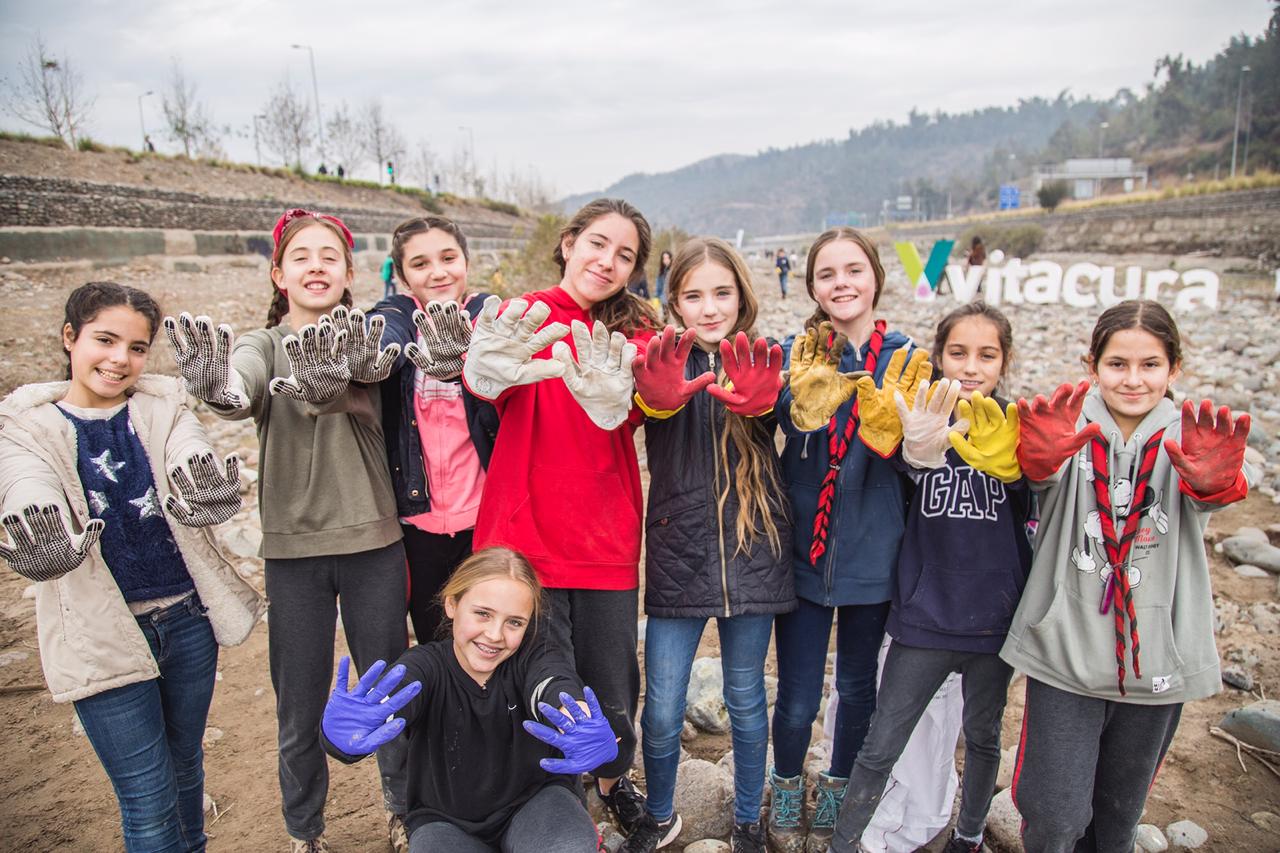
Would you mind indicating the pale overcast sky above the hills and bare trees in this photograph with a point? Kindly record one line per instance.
(588, 93)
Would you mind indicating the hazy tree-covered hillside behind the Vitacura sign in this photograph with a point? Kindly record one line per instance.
(1181, 125)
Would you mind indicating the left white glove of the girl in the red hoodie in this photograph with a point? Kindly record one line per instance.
(502, 348)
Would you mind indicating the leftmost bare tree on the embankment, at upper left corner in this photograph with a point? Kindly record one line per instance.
(49, 94)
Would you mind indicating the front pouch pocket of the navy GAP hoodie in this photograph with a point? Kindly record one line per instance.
(966, 604)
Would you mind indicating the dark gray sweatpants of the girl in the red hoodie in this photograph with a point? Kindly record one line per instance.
(597, 628)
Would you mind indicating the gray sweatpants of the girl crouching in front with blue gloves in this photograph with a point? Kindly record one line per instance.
(552, 820)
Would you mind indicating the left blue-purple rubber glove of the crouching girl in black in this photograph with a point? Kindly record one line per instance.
(356, 720)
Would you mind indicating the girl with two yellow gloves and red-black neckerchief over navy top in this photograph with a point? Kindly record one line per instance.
(849, 509)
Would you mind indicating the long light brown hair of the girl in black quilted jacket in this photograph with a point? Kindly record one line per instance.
(756, 477)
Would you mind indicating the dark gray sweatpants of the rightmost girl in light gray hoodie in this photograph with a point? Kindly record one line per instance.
(1085, 768)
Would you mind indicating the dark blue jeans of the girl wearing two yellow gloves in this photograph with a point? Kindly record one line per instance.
(802, 650)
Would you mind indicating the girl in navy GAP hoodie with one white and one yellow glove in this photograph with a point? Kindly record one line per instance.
(952, 612)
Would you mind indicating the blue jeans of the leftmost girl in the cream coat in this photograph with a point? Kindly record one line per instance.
(148, 735)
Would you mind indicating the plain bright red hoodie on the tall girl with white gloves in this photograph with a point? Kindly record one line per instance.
(560, 490)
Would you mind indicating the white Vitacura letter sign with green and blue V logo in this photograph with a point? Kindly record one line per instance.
(1082, 285)
